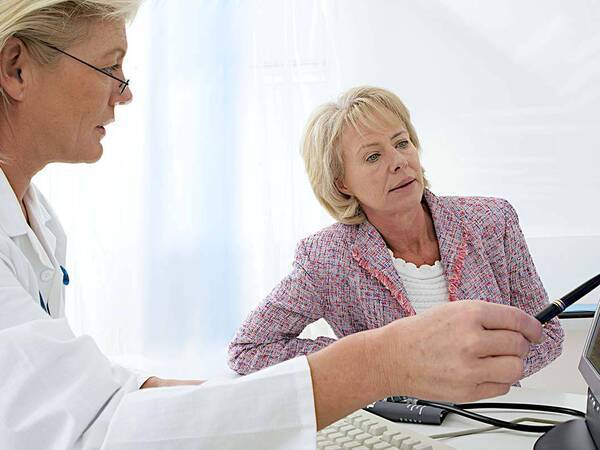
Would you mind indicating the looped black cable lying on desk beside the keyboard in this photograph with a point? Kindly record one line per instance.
(462, 410)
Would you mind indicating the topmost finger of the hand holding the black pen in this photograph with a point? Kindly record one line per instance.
(504, 317)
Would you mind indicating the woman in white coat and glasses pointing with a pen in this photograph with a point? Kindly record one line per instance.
(61, 78)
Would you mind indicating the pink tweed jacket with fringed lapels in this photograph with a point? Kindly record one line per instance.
(345, 274)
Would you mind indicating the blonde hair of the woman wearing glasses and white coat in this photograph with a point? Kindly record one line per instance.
(55, 22)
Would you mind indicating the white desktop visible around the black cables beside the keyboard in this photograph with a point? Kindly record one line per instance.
(504, 439)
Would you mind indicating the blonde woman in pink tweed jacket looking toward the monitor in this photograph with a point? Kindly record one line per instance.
(396, 249)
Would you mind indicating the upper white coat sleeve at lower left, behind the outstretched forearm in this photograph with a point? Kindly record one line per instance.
(57, 391)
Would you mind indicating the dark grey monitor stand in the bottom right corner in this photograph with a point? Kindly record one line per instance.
(574, 434)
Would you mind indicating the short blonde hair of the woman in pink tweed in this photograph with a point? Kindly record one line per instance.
(321, 148)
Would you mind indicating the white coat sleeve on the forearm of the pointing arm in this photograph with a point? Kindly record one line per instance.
(270, 409)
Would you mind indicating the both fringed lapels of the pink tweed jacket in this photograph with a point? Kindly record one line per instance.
(371, 252)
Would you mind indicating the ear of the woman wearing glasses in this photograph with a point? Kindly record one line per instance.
(14, 64)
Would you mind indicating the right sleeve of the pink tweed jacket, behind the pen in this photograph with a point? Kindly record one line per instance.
(528, 293)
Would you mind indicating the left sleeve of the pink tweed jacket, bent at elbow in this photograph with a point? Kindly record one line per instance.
(269, 334)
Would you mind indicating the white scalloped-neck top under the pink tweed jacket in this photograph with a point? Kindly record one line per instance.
(426, 285)
